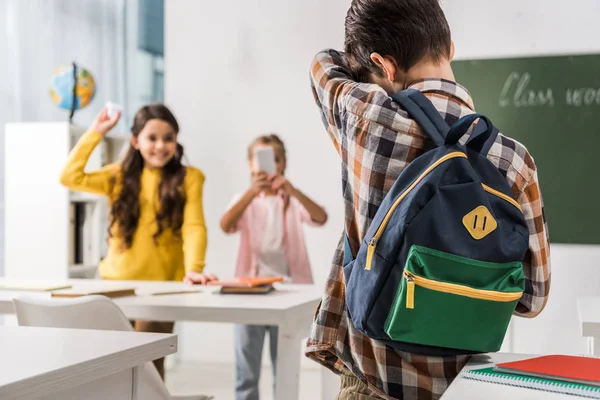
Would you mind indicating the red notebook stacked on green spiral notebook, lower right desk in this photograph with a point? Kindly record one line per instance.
(578, 376)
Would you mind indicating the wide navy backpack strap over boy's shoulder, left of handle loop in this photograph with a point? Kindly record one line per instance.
(422, 110)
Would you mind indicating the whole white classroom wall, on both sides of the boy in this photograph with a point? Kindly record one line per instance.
(238, 69)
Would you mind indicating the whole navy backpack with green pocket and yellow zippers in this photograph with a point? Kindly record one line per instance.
(440, 269)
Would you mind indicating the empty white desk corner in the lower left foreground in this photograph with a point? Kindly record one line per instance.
(53, 363)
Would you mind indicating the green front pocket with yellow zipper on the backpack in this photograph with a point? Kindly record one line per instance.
(455, 302)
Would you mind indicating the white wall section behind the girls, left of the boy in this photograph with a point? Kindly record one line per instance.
(235, 70)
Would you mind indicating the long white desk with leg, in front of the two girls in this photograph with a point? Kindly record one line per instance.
(291, 307)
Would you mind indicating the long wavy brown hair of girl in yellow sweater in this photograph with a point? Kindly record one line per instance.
(125, 210)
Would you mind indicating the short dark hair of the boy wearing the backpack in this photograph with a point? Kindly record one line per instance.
(408, 30)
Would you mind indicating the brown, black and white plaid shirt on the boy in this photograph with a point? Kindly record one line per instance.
(376, 140)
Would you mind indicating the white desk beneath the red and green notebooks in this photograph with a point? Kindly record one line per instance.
(469, 389)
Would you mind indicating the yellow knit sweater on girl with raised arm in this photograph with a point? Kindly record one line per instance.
(144, 260)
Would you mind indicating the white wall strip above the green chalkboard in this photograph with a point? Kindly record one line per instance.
(490, 29)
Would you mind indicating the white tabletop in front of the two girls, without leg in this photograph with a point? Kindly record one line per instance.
(198, 303)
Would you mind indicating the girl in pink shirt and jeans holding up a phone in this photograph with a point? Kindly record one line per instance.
(269, 218)
